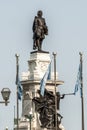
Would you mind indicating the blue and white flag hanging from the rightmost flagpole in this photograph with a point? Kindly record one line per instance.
(78, 82)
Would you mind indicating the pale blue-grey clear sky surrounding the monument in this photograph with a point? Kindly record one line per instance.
(67, 24)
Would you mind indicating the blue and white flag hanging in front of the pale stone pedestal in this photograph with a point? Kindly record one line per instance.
(44, 79)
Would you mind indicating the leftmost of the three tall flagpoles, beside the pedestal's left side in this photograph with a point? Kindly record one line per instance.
(17, 74)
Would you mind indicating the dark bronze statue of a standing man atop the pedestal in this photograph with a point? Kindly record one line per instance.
(39, 31)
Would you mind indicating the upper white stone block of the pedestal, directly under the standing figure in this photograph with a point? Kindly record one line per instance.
(38, 64)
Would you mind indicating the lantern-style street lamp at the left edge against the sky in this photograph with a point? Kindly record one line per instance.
(5, 94)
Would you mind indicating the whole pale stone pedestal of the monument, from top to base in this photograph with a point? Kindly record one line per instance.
(38, 64)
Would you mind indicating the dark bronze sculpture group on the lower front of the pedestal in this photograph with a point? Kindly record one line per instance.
(45, 106)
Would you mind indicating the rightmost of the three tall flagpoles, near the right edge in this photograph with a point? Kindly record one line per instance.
(82, 96)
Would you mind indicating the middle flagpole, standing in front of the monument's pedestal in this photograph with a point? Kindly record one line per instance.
(54, 54)
